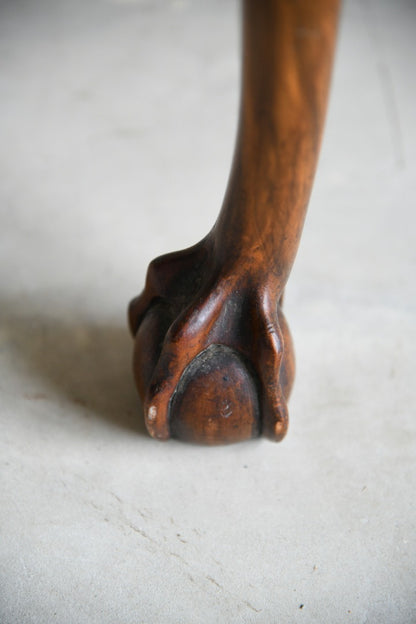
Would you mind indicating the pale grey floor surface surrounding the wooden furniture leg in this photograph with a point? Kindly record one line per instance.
(117, 126)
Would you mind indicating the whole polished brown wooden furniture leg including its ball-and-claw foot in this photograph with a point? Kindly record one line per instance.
(213, 357)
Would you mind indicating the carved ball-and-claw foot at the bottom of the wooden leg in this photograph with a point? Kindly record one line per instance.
(213, 357)
